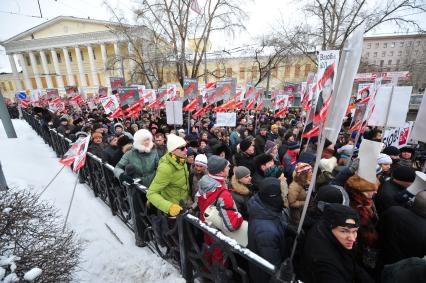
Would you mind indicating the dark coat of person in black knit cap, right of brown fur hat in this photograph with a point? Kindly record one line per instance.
(386, 194)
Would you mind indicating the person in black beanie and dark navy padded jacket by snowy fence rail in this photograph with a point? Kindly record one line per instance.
(267, 227)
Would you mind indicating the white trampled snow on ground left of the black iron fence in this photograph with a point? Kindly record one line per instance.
(28, 162)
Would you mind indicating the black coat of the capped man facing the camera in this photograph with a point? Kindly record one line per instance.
(326, 260)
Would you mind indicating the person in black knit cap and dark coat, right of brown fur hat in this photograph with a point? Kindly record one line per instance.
(402, 178)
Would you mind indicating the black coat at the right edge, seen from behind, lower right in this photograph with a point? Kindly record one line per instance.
(402, 234)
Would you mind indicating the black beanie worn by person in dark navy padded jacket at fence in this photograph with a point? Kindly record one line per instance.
(270, 193)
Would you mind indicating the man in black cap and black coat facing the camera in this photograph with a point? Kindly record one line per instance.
(328, 254)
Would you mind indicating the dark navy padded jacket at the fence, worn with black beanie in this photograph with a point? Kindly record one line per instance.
(266, 237)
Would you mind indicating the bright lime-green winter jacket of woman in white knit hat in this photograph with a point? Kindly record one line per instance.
(170, 184)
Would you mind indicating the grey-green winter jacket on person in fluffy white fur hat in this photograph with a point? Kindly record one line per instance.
(145, 164)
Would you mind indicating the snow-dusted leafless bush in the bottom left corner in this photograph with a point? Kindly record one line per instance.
(31, 236)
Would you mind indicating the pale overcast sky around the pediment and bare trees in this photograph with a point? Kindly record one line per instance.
(19, 15)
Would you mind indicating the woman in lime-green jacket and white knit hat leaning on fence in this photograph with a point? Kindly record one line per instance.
(170, 185)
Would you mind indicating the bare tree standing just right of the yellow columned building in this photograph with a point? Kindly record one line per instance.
(177, 24)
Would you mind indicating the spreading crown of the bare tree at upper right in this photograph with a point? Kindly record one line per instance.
(331, 22)
